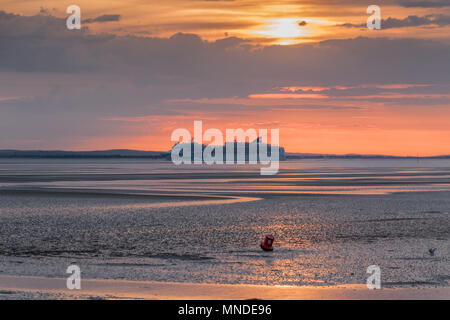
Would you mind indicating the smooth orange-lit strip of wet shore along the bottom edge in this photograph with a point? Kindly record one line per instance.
(20, 287)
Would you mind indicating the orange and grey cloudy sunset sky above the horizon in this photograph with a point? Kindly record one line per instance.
(139, 69)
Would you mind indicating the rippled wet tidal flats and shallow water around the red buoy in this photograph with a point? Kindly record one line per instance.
(331, 220)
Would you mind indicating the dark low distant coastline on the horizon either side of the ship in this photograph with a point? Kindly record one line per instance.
(125, 153)
